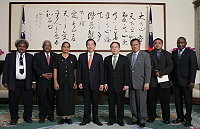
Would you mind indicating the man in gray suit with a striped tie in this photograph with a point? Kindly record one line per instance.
(140, 66)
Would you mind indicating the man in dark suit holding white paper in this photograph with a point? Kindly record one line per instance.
(162, 65)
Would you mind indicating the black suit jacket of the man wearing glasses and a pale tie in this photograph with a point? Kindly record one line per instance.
(120, 76)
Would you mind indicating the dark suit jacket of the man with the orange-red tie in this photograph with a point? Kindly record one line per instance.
(93, 77)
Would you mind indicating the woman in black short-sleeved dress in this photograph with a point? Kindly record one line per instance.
(65, 83)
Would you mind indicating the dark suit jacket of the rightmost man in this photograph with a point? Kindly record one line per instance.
(185, 68)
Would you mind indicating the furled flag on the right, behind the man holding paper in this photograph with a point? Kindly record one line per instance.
(150, 31)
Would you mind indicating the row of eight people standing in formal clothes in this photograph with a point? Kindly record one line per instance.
(139, 71)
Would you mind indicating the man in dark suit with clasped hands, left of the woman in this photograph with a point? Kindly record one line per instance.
(42, 66)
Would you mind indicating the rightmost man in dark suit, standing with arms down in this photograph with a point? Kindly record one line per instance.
(184, 73)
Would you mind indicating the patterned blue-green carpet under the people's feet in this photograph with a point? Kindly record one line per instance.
(103, 116)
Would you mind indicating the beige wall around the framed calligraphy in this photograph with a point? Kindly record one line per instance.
(179, 20)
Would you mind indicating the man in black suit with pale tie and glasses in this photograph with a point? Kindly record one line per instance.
(117, 81)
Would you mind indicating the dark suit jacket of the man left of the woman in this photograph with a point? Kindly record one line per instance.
(41, 66)
